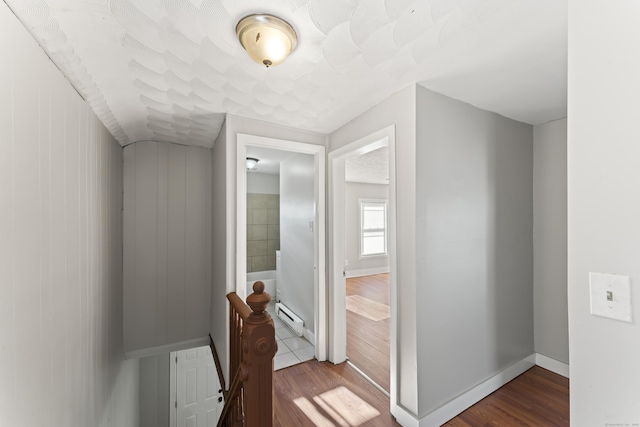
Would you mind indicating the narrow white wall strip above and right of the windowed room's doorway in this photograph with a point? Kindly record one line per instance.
(398, 109)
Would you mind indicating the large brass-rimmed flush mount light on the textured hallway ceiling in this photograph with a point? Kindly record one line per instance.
(266, 38)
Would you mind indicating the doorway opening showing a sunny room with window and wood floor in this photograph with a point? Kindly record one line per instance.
(366, 265)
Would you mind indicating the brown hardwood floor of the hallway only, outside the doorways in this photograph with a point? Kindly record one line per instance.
(323, 394)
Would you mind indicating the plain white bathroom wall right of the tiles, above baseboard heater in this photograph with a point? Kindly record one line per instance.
(297, 210)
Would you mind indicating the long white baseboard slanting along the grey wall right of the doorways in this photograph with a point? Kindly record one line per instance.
(477, 393)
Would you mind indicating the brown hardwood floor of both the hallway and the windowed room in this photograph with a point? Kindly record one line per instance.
(323, 394)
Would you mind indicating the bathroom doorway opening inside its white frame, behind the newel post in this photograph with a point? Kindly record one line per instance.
(280, 215)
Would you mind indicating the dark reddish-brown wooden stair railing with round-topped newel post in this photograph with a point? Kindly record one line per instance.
(249, 399)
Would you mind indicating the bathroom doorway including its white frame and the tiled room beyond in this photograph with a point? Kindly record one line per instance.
(280, 239)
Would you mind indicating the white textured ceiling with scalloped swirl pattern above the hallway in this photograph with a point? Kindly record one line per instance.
(168, 70)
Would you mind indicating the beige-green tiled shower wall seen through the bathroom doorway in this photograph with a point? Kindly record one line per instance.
(263, 231)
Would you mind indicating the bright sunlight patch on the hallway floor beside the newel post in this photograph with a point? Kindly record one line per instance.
(339, 406)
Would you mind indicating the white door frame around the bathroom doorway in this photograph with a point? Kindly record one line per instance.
(319, 284)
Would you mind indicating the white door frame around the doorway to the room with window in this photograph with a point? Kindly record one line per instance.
(337, 284)
